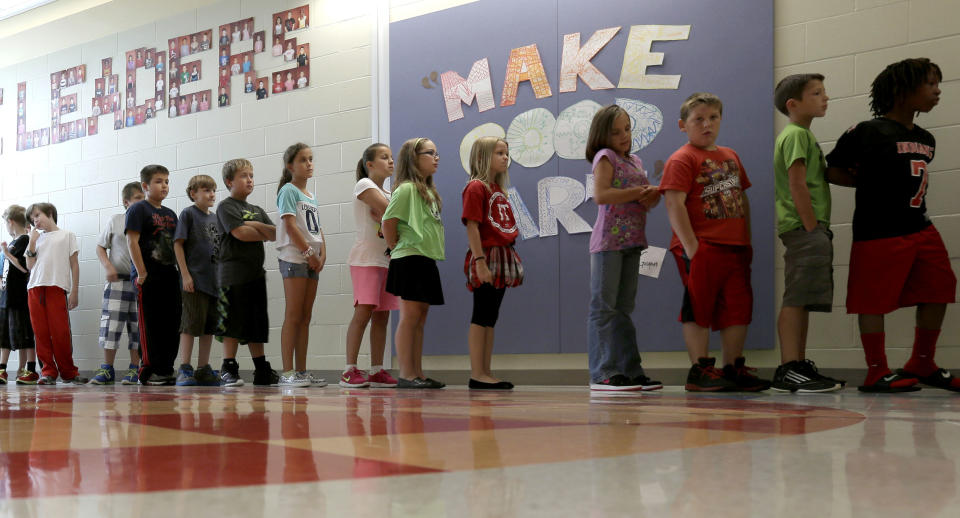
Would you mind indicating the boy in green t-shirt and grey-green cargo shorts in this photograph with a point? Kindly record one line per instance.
(803, 224)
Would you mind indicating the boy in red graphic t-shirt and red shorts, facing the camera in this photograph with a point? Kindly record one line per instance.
(703, 185)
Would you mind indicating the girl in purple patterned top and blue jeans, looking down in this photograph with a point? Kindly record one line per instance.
(623, 196)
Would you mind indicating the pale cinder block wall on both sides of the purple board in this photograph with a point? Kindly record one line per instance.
(849, 41)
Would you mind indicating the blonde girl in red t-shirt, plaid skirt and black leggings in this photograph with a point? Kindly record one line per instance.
(491, 264)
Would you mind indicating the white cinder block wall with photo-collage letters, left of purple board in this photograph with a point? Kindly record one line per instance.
(84, 177)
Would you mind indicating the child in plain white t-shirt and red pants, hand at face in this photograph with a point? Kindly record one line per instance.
(54, 269)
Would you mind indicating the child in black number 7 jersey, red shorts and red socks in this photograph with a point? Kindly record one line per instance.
(898, 258)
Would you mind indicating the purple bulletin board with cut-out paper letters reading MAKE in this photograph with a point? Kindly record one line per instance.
(722, 47)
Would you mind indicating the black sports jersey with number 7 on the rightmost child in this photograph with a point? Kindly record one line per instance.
(891, 163)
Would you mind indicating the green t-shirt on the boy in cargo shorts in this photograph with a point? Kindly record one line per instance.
(793, 143)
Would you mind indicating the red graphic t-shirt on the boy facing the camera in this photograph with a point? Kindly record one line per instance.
(714, 182)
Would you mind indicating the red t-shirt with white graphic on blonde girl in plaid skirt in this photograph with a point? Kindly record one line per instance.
(491, 208)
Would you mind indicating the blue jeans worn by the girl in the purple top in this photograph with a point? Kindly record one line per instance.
(611, 335)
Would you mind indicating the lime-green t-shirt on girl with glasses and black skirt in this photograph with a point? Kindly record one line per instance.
(419, 228)
